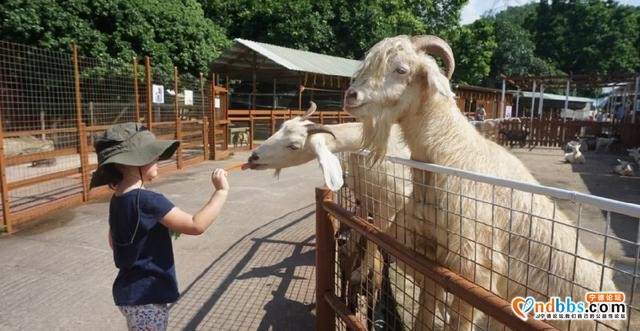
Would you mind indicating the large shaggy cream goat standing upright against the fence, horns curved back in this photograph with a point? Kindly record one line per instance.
(514, 250)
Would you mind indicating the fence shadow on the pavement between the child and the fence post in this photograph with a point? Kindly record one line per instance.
(251, 285)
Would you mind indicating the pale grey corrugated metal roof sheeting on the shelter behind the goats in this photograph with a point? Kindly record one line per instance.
(290, 59)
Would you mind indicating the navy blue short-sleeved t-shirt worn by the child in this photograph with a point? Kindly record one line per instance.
(147, 271)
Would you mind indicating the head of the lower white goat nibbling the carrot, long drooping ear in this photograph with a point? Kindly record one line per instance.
(299, 141)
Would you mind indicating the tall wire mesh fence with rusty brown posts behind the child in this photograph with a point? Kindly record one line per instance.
(53, 103)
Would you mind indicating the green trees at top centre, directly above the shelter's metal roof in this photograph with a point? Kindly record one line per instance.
(339, 27)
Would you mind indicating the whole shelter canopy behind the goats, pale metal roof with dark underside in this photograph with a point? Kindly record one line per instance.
(270, 61)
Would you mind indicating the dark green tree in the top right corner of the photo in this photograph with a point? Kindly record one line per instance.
(588, 37)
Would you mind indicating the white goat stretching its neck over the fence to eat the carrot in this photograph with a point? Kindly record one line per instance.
(300, 140)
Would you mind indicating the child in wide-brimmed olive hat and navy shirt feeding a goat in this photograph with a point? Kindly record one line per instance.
(140, 222)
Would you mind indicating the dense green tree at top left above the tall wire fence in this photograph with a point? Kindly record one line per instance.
(115, 30)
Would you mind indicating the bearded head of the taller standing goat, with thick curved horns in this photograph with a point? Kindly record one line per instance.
(397, 75)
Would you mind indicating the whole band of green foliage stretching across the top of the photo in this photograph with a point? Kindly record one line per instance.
(542, 38)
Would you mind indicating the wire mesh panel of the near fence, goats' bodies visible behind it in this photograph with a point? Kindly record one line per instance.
(513, 239)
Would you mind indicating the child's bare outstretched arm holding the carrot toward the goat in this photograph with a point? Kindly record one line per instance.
(183, 222)
